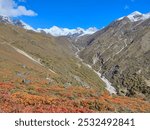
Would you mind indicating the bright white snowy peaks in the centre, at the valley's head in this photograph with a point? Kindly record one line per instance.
(57, 31)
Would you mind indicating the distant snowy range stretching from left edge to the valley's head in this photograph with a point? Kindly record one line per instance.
(55, 31)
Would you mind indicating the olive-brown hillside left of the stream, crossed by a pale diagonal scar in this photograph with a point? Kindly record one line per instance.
(29, 57)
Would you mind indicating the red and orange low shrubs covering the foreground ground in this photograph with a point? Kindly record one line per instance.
(35, 98)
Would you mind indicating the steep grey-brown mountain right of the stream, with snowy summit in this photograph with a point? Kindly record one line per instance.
(121, 52)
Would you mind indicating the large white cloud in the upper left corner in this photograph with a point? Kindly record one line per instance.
(10, 8)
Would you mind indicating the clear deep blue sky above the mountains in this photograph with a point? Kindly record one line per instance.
(78, 13)
